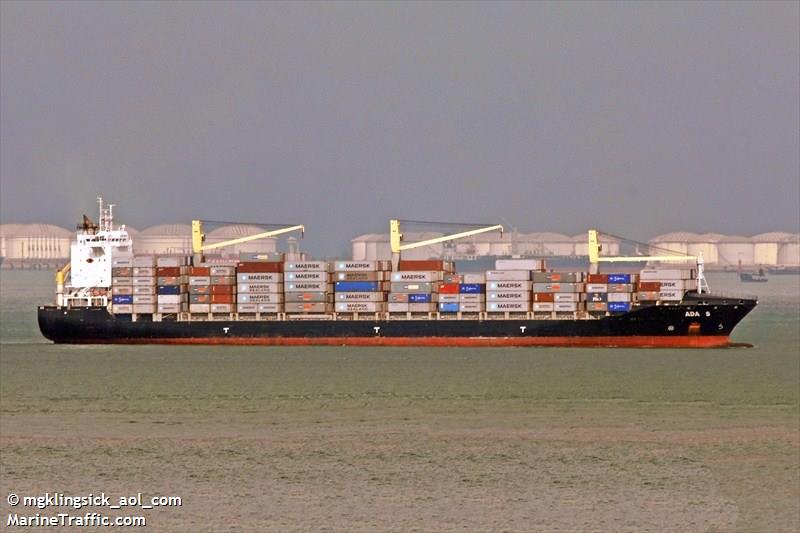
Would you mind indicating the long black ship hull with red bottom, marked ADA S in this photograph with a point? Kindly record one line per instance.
(698, 321)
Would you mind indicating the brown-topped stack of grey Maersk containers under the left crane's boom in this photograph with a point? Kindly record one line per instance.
(259, 287)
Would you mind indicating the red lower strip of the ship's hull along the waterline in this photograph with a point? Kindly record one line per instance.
(608, 342)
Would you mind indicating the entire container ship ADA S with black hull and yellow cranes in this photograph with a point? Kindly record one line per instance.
(108, 294)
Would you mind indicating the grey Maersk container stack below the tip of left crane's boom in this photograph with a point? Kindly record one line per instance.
(307, 287)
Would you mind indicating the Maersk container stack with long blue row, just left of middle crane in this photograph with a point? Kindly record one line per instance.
(359, 286)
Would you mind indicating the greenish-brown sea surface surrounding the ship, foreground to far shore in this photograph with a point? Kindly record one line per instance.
(399, 439)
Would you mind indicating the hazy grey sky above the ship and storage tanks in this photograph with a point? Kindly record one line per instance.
(638, 118)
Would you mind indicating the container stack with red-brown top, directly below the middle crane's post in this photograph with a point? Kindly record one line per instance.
(414, 288)
